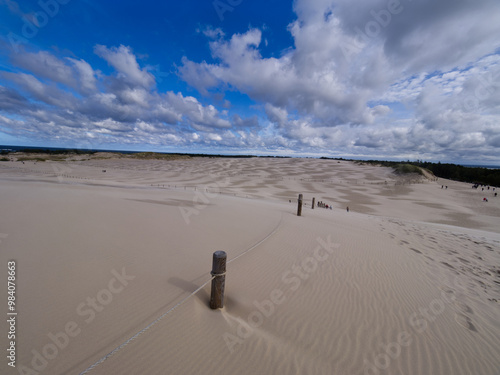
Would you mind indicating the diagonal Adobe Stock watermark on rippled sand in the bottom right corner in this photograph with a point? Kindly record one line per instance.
(420, 322)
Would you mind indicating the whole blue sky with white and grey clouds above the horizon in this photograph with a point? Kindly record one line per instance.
(385, 79)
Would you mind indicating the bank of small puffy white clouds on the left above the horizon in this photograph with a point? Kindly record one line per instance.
(123, 107)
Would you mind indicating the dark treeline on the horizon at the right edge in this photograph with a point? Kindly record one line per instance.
(475, 175)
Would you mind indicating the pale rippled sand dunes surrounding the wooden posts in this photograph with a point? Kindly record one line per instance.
(407, 282)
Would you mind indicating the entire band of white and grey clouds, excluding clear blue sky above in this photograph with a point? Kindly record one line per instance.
(390, 78)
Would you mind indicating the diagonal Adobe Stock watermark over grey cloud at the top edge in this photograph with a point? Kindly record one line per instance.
(380, 19)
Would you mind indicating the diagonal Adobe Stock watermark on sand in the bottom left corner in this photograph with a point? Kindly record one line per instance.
(88, 310)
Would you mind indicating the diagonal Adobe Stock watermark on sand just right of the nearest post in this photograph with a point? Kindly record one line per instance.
(292, 278)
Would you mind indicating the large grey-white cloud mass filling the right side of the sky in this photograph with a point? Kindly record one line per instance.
(392, 76)
